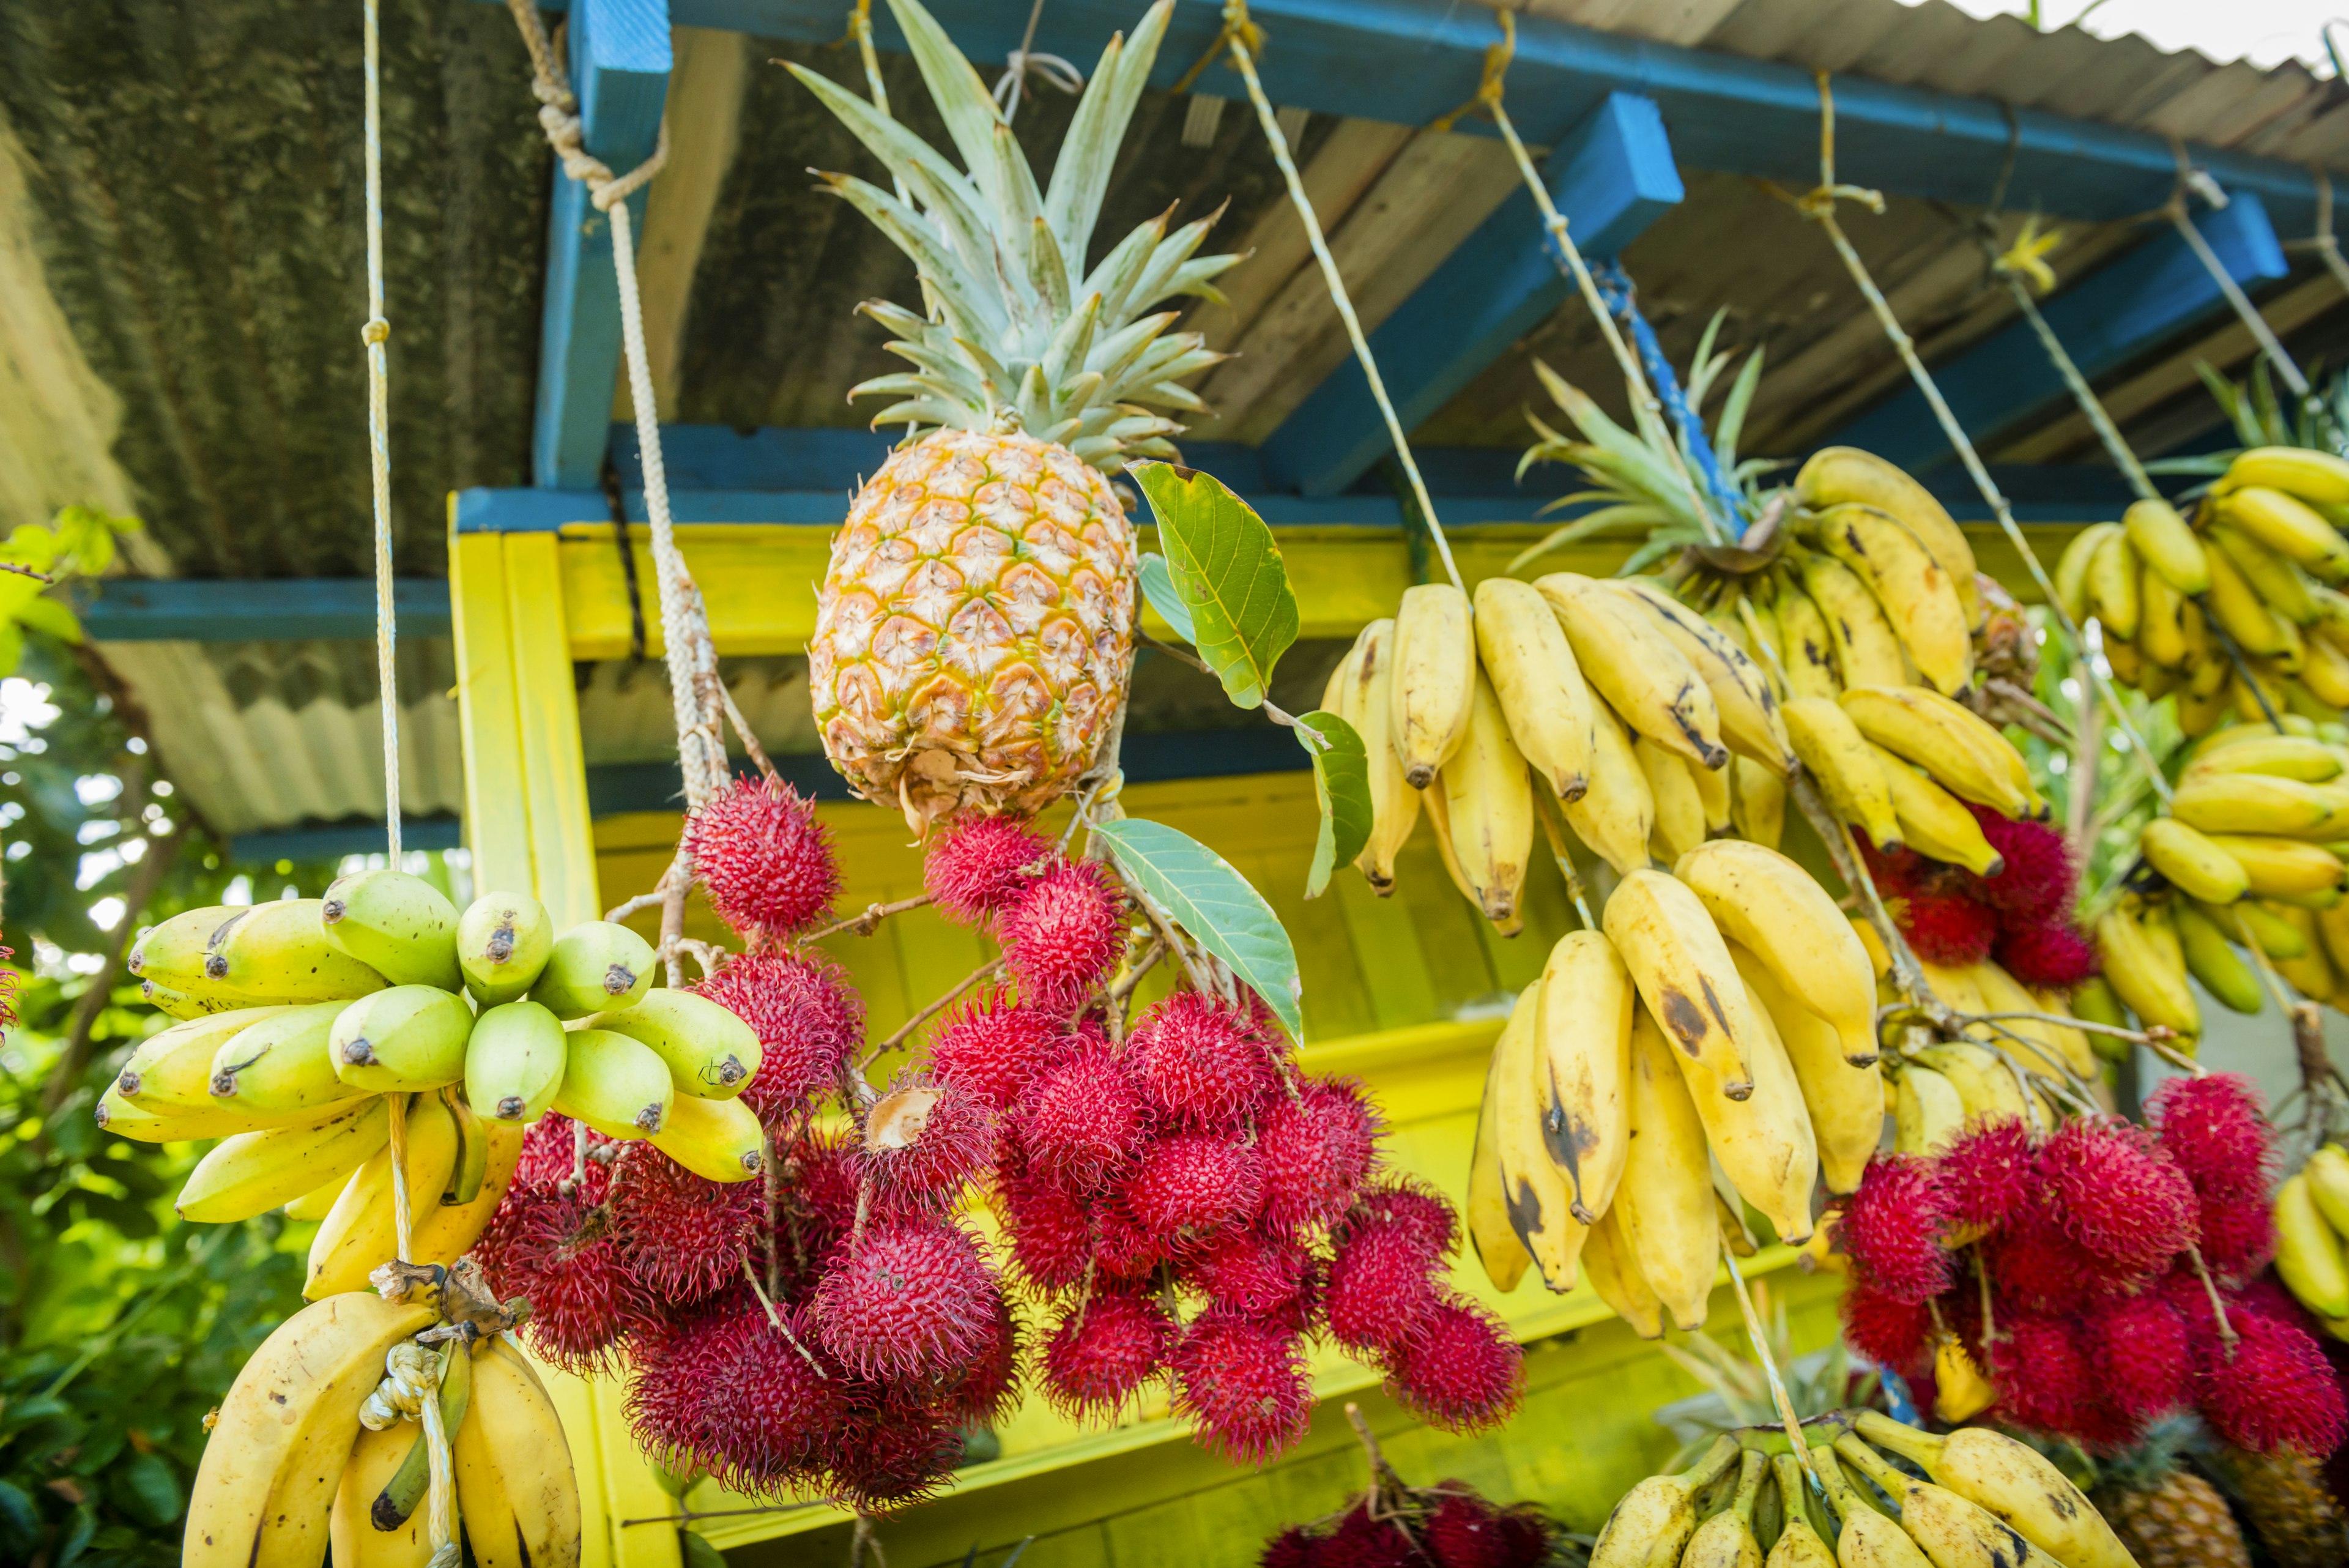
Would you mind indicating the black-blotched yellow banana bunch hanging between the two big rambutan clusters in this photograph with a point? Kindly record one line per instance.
(1725, 1014)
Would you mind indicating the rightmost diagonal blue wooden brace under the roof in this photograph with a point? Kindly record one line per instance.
(2104, 321)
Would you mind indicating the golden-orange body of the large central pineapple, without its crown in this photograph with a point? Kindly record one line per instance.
(976, 626)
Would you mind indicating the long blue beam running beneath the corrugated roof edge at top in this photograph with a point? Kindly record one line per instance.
(1413, 60)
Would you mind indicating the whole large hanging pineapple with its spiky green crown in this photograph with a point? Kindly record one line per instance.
(976, 626)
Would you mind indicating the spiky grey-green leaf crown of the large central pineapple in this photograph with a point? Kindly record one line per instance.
(1016, 323)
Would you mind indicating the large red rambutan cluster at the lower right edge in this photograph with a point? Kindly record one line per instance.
(2089, 1275)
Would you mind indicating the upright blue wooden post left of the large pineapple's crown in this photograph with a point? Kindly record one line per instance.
(621, 74)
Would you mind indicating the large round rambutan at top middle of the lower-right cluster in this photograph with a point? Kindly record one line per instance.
(2113, 1191)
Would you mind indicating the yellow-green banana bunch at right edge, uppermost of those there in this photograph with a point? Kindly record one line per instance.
(2256, 568)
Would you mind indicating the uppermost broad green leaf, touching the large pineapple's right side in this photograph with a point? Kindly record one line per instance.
(1225, 565)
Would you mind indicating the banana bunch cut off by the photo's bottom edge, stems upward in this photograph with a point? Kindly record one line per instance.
(1986, 1499)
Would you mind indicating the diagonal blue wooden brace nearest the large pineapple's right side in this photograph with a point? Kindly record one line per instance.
(1613, 177)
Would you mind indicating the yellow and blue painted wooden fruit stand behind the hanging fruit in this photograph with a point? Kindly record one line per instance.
(1653, 147)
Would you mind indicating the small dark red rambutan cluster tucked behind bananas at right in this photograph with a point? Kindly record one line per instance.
(2021, 916)
